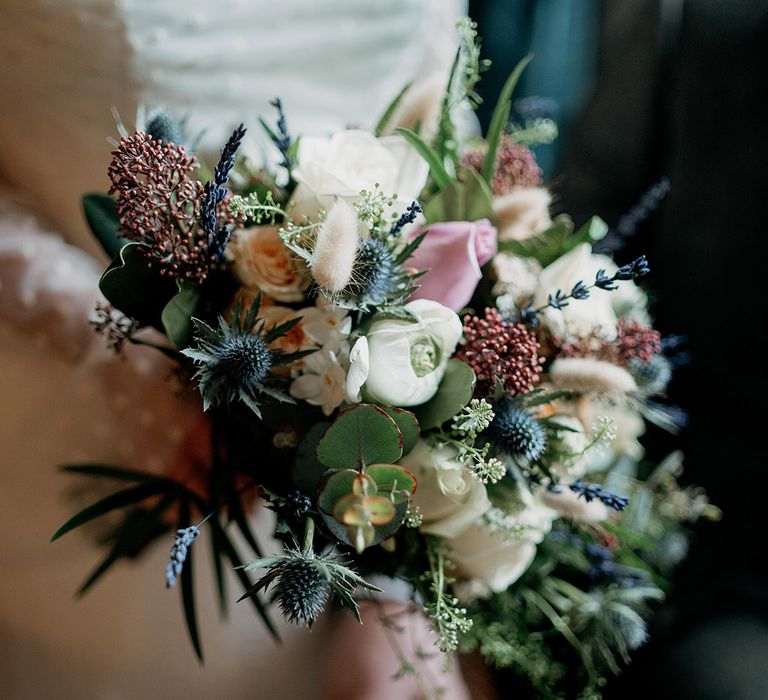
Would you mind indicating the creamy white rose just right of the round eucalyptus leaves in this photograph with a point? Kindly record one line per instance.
(450, 499)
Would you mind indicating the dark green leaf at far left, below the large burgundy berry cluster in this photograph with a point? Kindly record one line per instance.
(131, 285)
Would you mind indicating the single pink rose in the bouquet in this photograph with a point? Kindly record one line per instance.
(452, 253)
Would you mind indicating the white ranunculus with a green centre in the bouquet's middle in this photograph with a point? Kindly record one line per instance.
(407, 359)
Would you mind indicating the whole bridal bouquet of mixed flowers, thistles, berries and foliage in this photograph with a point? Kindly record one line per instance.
(420, 372)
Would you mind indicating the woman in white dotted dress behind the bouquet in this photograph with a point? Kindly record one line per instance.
(66, 399)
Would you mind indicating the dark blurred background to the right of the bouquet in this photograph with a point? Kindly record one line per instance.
(671, 91)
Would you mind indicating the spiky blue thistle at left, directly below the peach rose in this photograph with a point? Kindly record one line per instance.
(235, 360)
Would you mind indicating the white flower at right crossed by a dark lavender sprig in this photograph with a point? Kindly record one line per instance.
(595, 314)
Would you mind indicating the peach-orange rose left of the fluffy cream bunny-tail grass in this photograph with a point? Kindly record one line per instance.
(260, 260)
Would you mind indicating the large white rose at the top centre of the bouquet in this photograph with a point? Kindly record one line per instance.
(343, 164)
